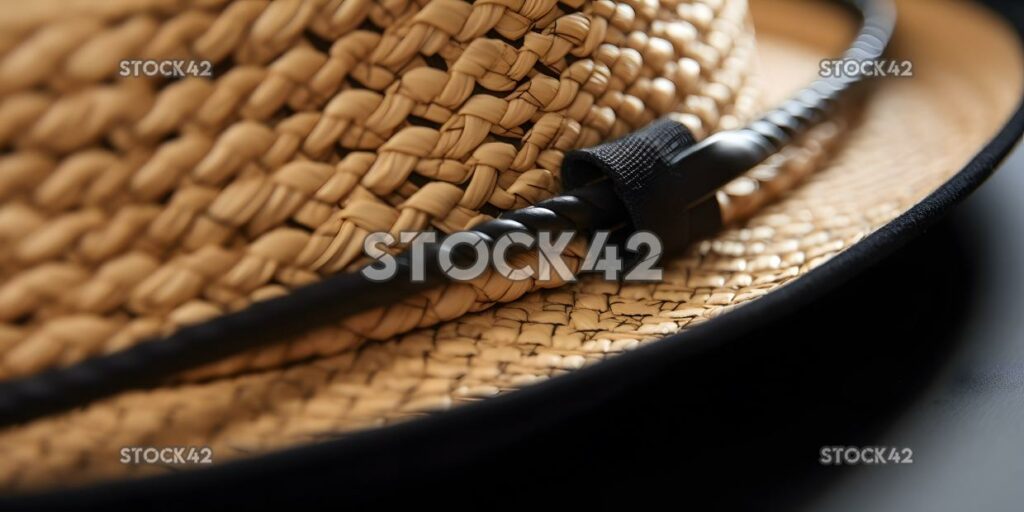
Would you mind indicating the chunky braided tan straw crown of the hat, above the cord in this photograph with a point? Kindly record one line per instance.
(132, 206)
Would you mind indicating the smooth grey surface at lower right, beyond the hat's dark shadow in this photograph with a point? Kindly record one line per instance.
(966, 424)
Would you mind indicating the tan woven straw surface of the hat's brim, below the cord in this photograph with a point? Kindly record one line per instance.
(552, 332)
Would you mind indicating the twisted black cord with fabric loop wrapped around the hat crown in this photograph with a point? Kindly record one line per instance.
(671, 195)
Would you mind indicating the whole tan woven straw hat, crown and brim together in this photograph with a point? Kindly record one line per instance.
(135, 205)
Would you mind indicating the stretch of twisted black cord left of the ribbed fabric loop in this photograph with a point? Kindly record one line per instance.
(151, 362)
